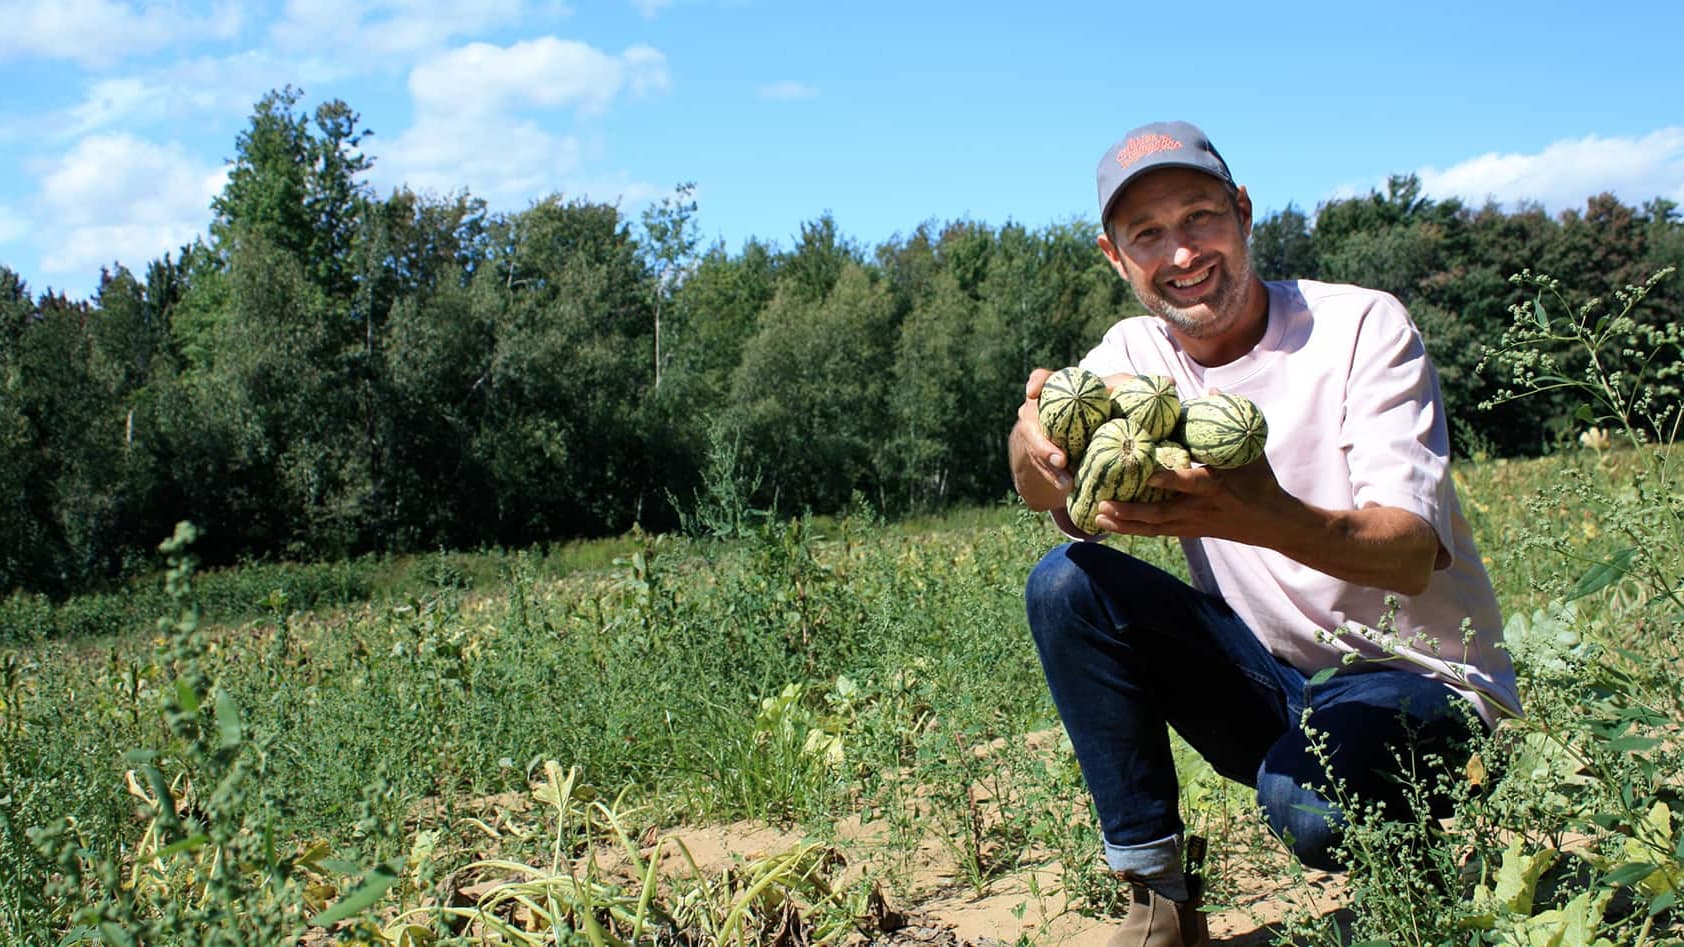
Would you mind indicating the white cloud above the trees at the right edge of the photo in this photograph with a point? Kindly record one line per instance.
(1565, 174)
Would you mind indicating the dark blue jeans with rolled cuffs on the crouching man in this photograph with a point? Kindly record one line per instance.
(1131, 651)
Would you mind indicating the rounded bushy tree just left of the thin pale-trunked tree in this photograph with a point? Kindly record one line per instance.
(570, 370)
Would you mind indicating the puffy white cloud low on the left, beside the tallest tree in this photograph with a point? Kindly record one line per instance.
(117, 198)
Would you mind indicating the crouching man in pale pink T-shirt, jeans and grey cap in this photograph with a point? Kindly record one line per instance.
(1346, 532)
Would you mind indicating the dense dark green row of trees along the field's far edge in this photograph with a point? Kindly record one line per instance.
(331, 372)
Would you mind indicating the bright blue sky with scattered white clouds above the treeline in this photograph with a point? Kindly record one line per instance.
(117, 117)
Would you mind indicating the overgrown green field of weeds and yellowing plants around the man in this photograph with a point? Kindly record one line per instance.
(498, 749)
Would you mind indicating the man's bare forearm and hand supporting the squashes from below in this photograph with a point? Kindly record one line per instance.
(1377, 547)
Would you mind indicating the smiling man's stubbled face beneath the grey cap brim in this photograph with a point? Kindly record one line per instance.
(1180, 240)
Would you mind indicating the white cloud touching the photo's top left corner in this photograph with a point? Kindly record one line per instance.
(99, 33)
